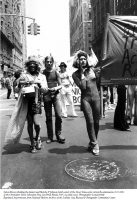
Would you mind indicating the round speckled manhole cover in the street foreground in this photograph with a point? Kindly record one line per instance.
(97, 169)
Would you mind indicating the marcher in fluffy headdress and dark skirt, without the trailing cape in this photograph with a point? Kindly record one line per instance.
(33, 78)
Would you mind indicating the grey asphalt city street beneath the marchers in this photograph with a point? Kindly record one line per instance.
(51, 168)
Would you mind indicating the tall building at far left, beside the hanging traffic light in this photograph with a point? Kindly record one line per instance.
(11, 33)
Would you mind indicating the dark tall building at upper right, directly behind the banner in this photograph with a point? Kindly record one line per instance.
(100, 8)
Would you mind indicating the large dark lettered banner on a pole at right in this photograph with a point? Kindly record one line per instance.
(119, 65)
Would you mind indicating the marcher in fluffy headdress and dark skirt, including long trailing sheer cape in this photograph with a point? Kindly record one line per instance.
(31, 83)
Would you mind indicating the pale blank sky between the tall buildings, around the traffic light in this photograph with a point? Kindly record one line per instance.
(53, 18)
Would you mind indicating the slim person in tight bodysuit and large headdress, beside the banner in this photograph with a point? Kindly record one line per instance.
(85, 79)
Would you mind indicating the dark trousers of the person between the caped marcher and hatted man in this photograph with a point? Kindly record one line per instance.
(48, 102)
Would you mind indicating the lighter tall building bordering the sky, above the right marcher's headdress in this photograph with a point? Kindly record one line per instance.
(80, 25)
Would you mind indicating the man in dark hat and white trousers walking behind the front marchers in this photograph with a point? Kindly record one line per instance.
(66, 91)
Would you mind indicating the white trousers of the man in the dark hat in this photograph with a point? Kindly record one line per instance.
(66, 94)
